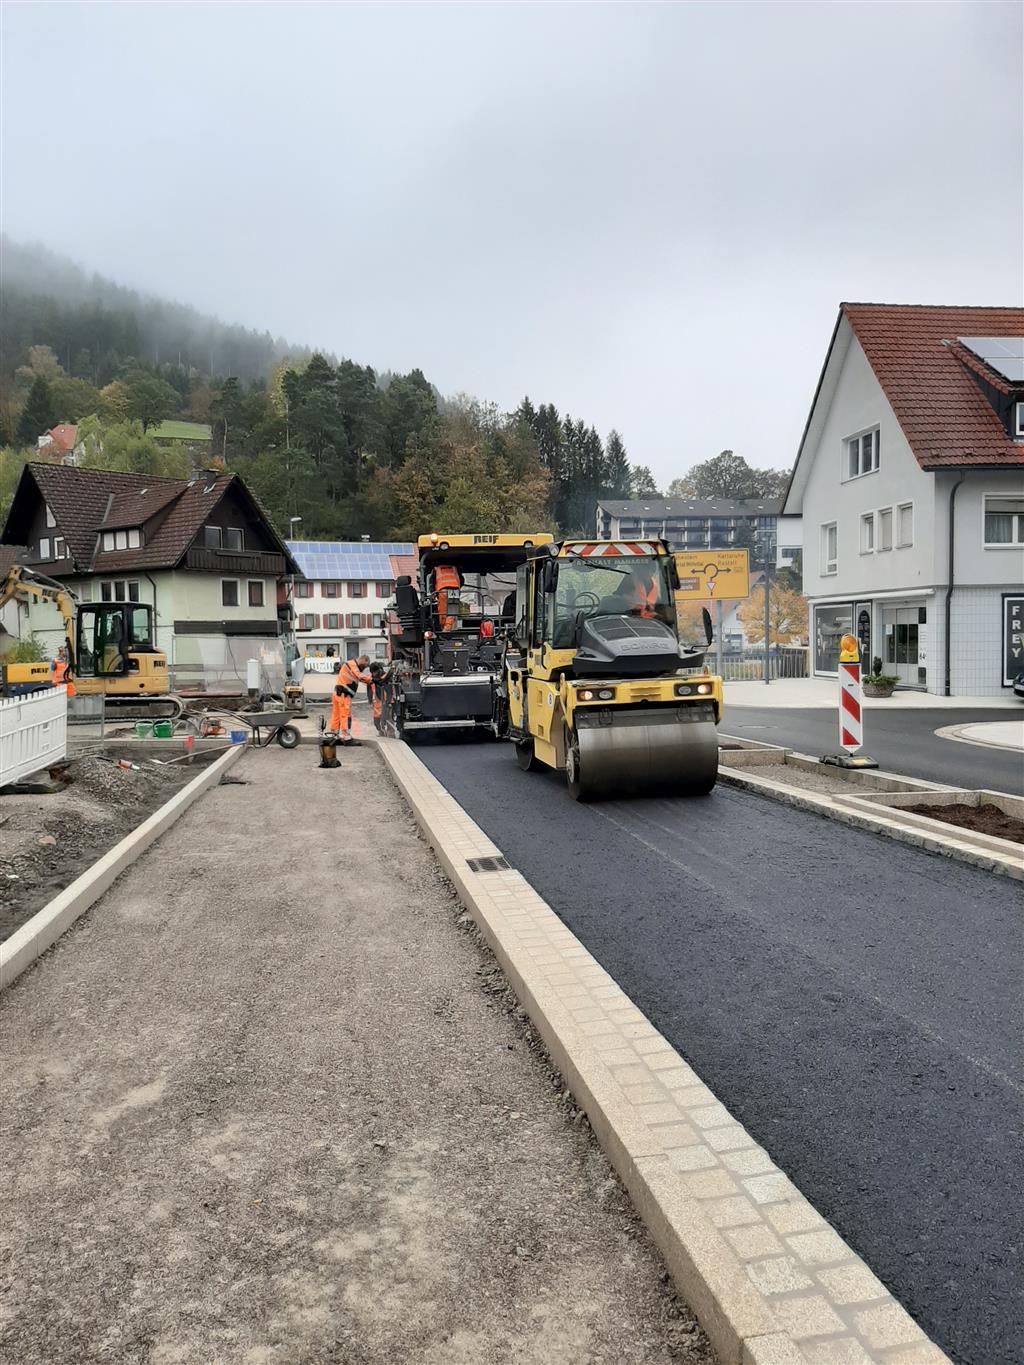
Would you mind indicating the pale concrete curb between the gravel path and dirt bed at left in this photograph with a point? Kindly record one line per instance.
(46, 928)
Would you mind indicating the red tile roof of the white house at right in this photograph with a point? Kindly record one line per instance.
(915, 357)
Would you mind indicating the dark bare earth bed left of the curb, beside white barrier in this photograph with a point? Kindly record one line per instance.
(47, 842)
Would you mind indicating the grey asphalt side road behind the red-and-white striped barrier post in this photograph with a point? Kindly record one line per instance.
(903, 742)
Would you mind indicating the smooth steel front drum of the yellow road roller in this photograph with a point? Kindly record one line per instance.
(638, 753)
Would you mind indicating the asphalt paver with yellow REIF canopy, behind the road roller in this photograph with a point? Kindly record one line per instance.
(447, 630)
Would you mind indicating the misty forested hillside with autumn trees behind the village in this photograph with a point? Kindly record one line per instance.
(349, 451)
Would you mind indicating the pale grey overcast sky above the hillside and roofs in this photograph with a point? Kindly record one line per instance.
(646, 215)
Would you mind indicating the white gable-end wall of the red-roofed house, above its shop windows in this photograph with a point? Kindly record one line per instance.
(861, 403)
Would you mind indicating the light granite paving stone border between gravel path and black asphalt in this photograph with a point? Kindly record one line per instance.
(771, 1281)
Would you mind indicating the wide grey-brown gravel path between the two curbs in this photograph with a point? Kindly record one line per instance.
(272, 1102)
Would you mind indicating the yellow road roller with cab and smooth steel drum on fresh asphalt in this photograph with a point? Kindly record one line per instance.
(596, 680)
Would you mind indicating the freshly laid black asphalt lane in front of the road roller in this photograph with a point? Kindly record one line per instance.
(854, 1001)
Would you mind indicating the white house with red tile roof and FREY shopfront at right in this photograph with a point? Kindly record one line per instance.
(910, 480)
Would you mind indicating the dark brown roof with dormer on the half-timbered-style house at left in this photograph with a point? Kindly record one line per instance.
(85, 500)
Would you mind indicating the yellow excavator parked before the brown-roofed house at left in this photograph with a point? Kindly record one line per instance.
(110, 648)
